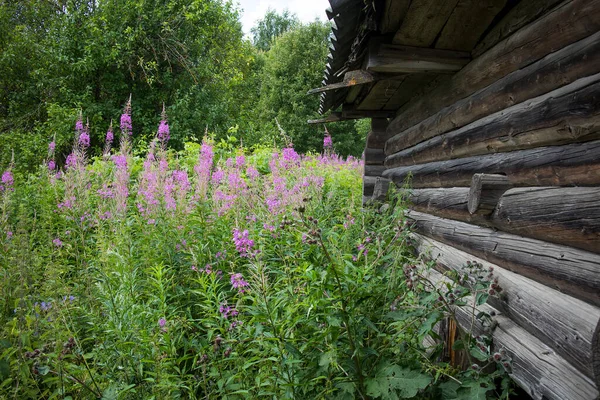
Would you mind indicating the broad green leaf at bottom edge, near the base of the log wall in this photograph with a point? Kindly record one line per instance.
(393, 381)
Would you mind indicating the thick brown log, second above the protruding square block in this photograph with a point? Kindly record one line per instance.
(565, 115)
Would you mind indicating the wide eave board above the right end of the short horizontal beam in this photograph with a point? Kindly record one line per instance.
(467, 23)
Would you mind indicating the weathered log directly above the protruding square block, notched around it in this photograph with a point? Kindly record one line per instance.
(574, 164)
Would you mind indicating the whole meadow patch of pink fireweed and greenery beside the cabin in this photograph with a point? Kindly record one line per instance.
(211, 274)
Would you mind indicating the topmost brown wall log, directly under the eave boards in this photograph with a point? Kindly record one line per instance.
(571, 21)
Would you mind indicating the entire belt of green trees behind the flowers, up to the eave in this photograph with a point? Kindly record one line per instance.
(62, 57)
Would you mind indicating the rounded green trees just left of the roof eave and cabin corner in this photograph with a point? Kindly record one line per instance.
(292, 66)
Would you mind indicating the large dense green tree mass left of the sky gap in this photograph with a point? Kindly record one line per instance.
(61, 56)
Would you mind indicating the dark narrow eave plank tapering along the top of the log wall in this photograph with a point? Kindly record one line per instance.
(522, 14)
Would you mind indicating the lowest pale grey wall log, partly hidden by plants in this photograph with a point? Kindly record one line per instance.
(538, 369)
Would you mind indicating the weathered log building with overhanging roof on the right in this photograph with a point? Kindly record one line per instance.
(496, 122)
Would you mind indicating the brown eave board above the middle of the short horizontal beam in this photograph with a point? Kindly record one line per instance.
(423, 22)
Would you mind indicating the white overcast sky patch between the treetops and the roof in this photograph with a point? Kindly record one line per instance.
(306, 10)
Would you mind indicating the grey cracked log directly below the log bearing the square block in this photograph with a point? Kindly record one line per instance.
(570, 270)
